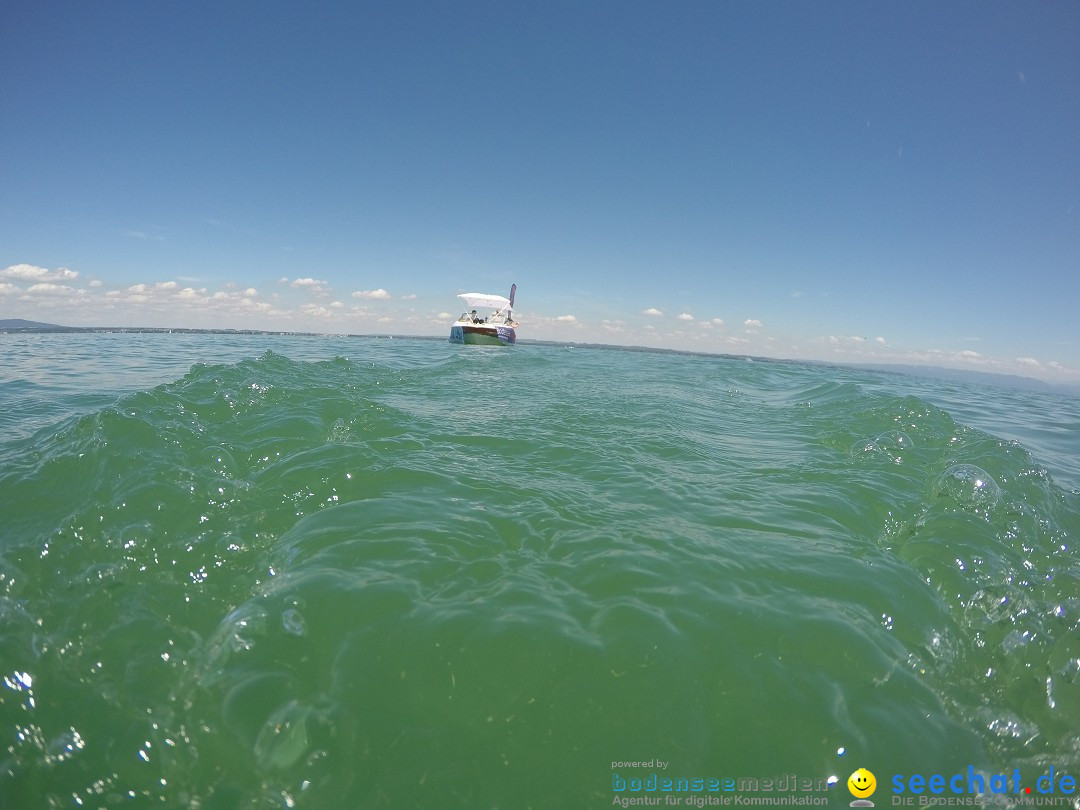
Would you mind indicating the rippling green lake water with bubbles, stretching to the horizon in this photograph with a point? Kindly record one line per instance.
(289, 573)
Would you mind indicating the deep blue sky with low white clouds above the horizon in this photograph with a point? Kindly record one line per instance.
(858, 182)
